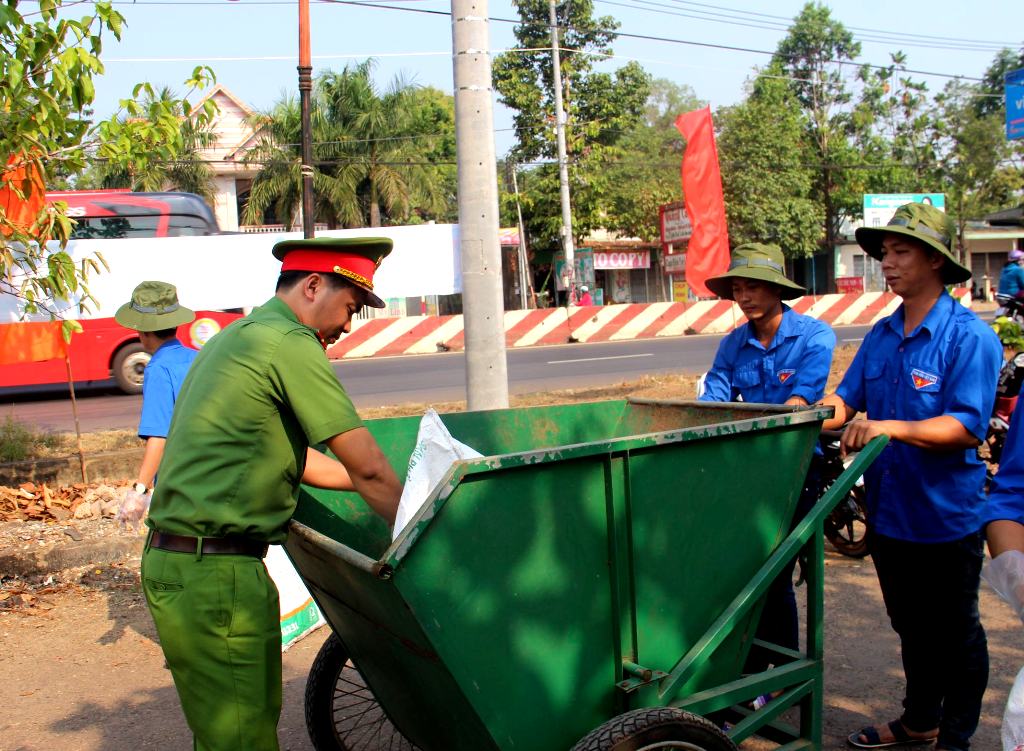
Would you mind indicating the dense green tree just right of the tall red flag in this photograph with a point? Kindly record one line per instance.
(769, 187)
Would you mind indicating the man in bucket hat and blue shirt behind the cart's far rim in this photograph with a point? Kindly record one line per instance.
(778, 357)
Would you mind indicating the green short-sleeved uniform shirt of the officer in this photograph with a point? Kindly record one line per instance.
(258, 396)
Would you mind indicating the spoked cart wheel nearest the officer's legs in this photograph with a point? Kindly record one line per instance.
(342, 712)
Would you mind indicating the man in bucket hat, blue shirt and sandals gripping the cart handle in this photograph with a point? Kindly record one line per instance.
(926, 378)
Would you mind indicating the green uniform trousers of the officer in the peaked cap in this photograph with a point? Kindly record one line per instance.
(220, 627)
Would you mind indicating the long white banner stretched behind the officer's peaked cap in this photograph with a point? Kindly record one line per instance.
(238, 271)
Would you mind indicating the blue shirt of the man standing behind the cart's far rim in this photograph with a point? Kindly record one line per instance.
(795, 364)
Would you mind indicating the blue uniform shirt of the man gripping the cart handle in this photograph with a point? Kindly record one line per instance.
(947, 366)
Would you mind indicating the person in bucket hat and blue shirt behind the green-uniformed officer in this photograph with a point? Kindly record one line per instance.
(155, 313)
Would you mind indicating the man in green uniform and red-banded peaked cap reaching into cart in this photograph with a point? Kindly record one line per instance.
(258, 397)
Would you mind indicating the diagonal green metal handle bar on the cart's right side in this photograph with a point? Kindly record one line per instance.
(756, 589)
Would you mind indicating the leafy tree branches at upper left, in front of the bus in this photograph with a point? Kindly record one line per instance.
(47, 71)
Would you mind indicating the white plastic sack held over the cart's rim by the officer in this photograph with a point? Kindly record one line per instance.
(435, 454)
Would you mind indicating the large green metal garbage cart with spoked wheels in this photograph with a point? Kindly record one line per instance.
(593, 582)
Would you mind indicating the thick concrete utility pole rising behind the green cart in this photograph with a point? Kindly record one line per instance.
(484, 311)
